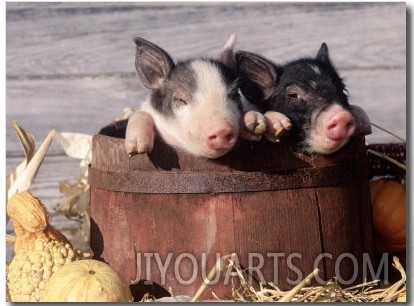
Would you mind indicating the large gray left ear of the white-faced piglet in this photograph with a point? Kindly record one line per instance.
(153, 64)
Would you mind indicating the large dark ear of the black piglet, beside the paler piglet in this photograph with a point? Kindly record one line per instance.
(258, 76)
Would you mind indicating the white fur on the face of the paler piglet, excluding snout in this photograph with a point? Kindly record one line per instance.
(210, 107)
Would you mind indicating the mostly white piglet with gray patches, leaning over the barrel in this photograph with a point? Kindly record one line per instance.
(194, 105)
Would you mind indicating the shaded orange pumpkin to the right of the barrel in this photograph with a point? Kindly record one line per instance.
(388, 198)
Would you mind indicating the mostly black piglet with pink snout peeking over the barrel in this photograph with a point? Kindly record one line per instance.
(310, 93)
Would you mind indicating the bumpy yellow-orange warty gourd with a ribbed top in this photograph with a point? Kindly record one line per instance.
(40, 249)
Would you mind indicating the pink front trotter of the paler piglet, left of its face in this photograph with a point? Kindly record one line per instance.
(140, 133)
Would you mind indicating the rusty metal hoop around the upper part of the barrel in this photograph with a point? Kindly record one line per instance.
(157, 182)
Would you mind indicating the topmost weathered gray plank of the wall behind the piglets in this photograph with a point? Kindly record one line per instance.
(94, 38)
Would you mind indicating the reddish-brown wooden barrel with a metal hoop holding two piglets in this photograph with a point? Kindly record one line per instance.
(166, 217)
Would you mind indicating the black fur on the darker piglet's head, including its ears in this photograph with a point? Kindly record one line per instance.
(300, 89)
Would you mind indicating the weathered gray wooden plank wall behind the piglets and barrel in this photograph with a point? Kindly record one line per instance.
(70, 66)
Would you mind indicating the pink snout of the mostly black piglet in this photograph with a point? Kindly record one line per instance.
(341, 125)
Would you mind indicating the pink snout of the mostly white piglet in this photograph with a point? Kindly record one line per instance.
(223, 137)
